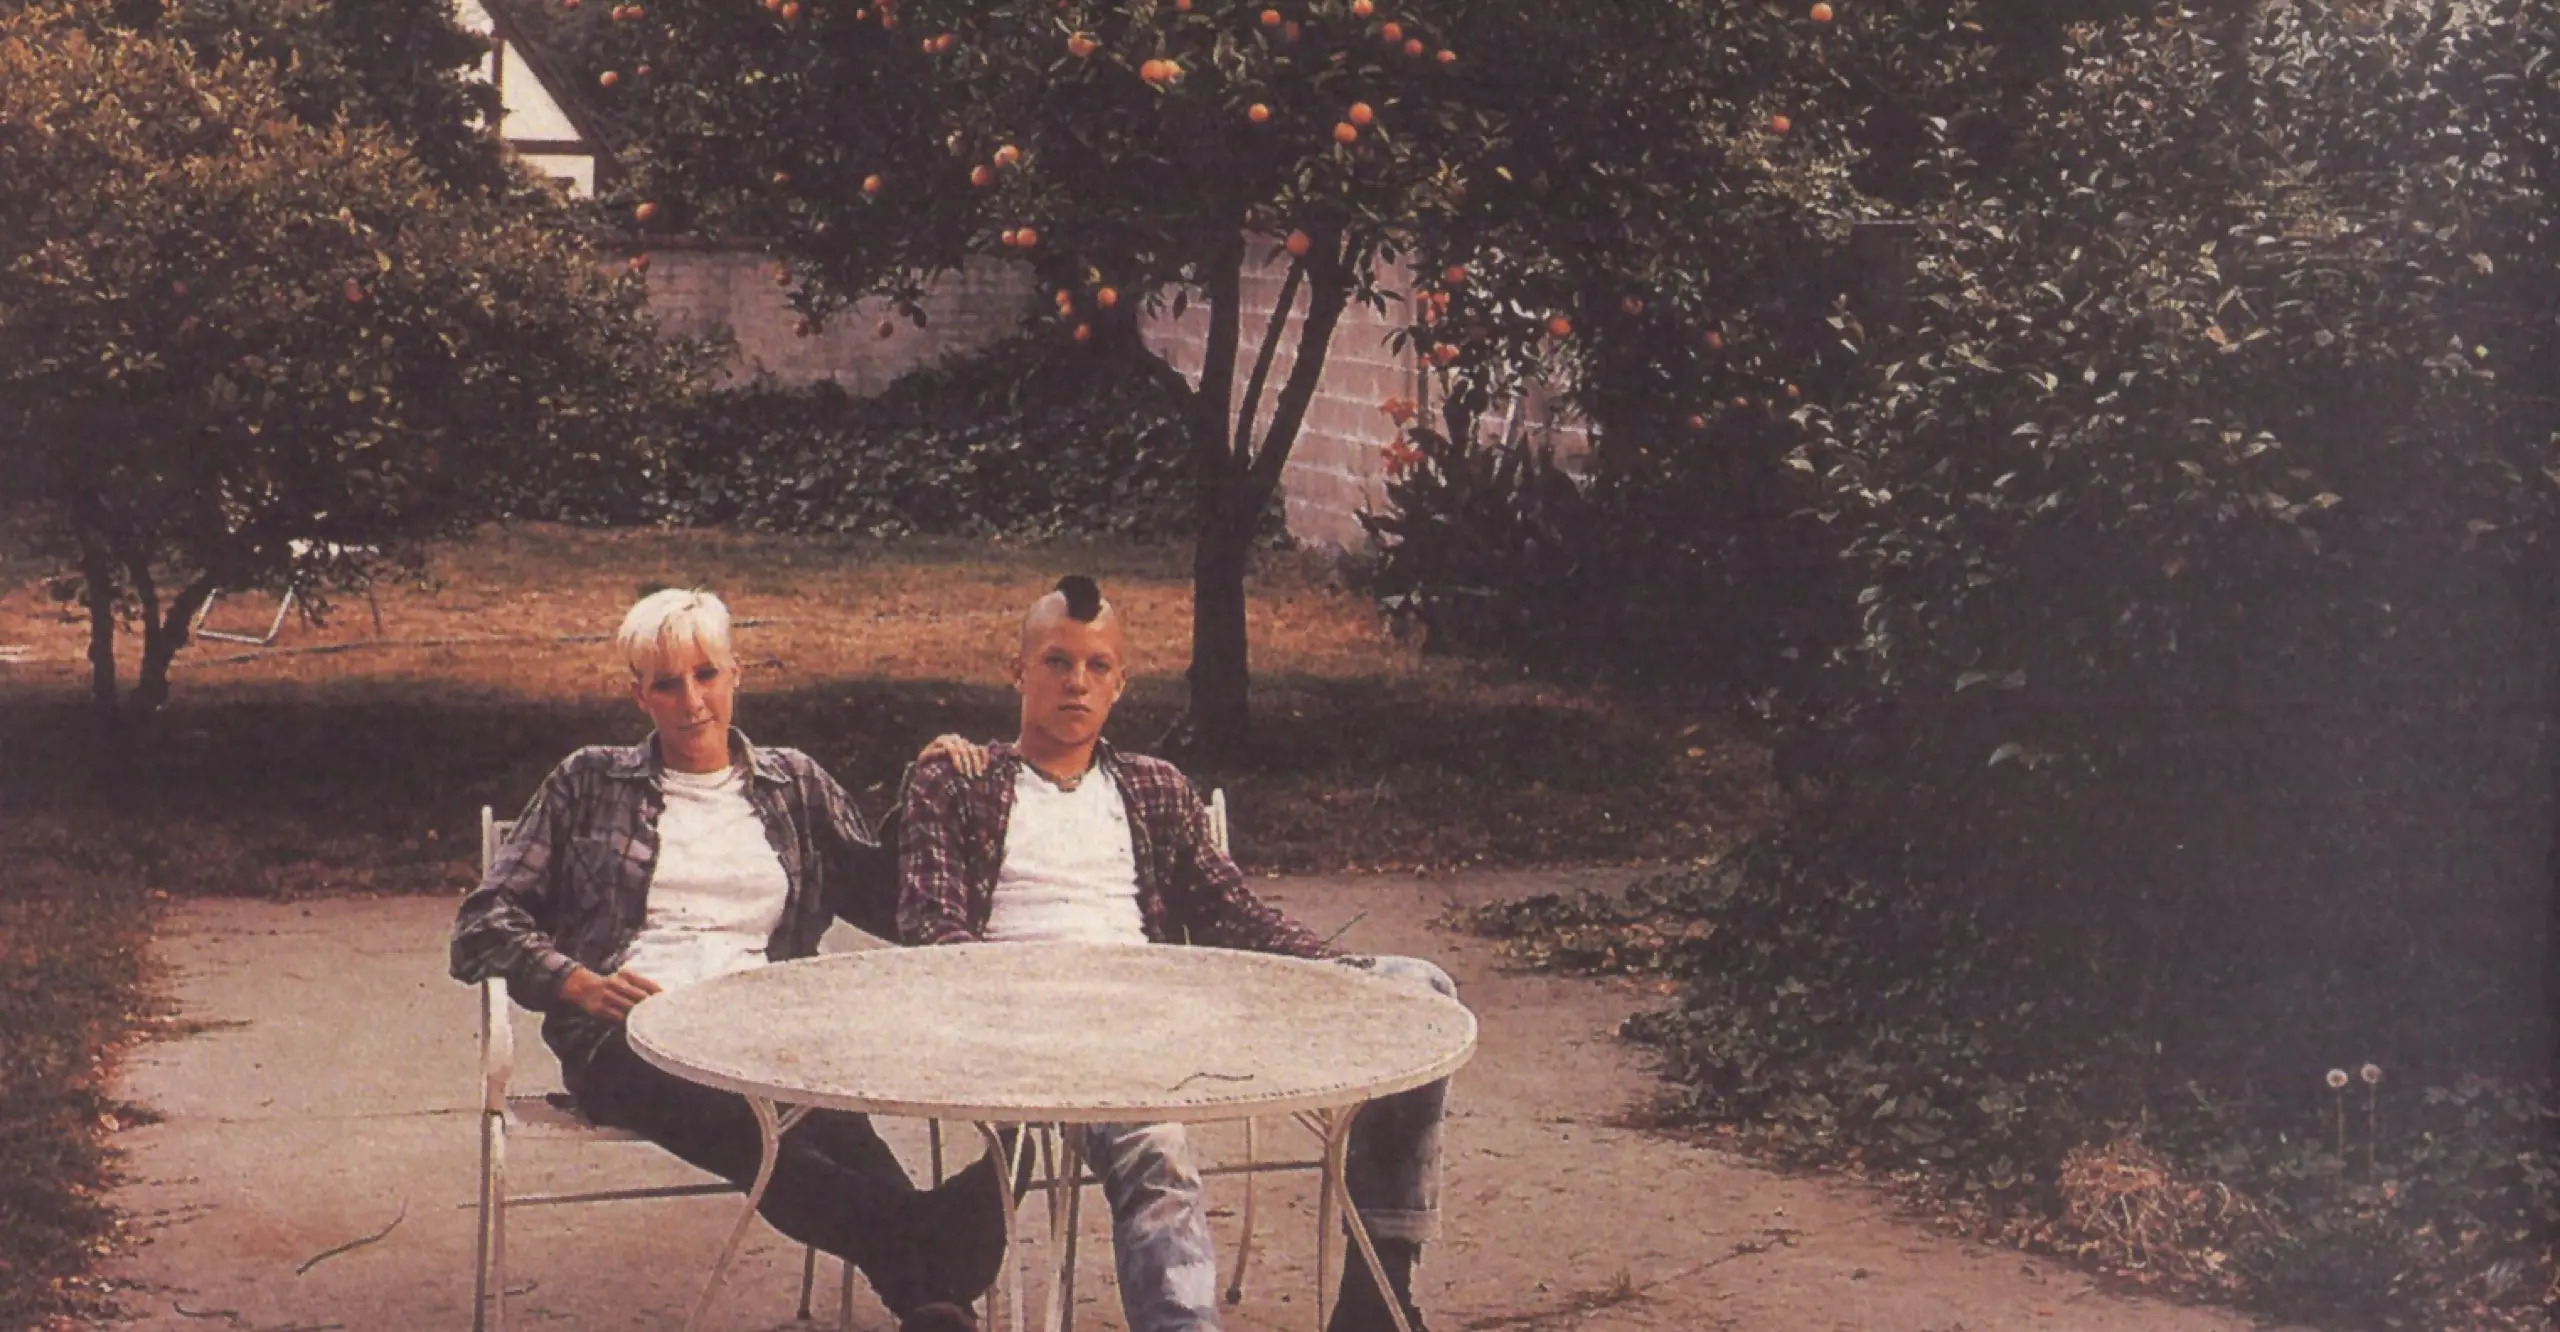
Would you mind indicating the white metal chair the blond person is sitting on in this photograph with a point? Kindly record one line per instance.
(554, 1118)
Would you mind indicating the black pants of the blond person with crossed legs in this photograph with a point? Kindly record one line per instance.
(836, 1185)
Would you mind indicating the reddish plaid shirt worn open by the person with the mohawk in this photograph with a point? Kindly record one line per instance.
(951, 847)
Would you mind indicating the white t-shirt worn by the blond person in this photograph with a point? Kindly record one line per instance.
(718, 890)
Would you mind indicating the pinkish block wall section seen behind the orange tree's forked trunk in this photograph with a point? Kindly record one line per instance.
(1338, 467)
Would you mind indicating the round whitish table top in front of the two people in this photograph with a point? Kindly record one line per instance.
(1056, 1034)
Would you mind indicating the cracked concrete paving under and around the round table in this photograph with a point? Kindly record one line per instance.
(314, 1169)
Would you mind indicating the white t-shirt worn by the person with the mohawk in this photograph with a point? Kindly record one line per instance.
(1069, 867)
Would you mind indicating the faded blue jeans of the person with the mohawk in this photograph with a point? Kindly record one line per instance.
(1161, 1226)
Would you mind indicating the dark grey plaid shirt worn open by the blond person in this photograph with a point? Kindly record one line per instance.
(572, 882)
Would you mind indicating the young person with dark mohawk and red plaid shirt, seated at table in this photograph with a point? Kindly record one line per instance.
(1059, 836)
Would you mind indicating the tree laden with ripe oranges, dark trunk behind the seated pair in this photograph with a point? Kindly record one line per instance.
(1143, 155)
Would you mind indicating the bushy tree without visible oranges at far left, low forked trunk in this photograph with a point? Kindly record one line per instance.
(255, 352)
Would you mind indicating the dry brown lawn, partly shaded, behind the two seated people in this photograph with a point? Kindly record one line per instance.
(344, 759)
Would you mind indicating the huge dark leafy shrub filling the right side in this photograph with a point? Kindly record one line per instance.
(2177, 708)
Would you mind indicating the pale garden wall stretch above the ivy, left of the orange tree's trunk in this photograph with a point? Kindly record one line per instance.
(698, 288)
